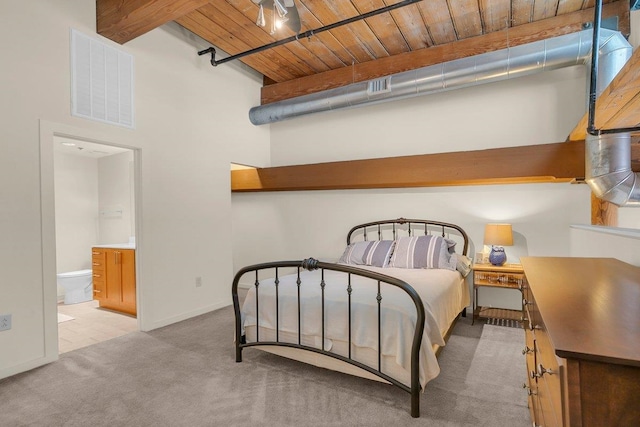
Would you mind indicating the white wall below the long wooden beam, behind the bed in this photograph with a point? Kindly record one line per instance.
(298, 225)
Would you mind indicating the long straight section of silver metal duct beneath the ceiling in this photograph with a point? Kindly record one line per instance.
(549, 54)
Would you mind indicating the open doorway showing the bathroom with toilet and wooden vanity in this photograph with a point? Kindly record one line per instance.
(95, 210)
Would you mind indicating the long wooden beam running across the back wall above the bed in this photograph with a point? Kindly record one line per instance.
(560, 162)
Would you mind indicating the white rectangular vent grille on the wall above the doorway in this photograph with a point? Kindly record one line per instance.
(101, 81)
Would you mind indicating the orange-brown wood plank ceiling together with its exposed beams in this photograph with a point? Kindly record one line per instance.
(410, 37)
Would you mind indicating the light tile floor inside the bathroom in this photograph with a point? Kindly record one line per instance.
(91, 325)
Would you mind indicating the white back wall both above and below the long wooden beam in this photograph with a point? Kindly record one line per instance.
(531, 110)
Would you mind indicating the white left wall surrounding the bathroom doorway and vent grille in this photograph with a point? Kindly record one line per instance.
(191, 122)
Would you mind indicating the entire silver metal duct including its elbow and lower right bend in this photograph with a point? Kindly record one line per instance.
(608, 158)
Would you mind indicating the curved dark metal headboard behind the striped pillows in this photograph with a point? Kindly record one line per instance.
(394, 228)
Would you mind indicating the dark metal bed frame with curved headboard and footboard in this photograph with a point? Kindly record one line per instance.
(426, 226)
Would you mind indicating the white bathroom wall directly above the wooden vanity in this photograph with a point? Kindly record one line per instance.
(116, 194)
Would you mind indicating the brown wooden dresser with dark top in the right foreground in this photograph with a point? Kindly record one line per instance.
(582, 322)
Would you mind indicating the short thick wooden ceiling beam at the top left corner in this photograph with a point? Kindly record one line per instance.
(123, 21)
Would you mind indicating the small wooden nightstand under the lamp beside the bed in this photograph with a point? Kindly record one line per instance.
(508, 276)
